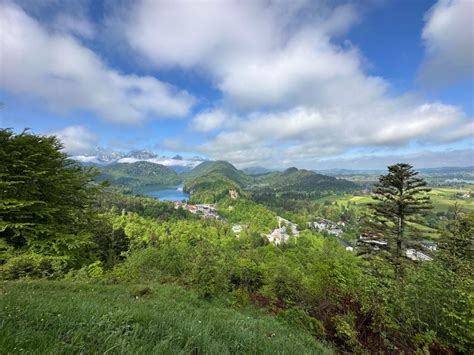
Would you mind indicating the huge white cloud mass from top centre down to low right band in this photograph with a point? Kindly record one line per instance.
(301, 94)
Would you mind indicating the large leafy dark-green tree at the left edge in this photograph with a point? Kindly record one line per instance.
(44, 198)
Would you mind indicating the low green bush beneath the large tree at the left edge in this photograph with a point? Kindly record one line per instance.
(34, 266)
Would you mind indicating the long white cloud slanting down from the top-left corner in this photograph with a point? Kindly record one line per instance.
(57, 68)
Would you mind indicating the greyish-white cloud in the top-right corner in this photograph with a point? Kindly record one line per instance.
(449, 39)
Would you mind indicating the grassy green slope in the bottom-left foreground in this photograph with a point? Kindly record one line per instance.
(71, 317)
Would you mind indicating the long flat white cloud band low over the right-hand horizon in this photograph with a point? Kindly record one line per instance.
(308, 134)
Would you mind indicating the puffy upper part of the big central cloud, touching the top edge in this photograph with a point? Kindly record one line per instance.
(257, 53)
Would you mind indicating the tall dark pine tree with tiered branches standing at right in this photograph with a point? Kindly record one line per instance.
(401, 200)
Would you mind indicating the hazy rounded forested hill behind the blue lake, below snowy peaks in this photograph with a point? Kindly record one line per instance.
(139, 174)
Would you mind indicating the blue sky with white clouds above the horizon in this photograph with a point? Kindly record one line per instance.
(315, 84)
